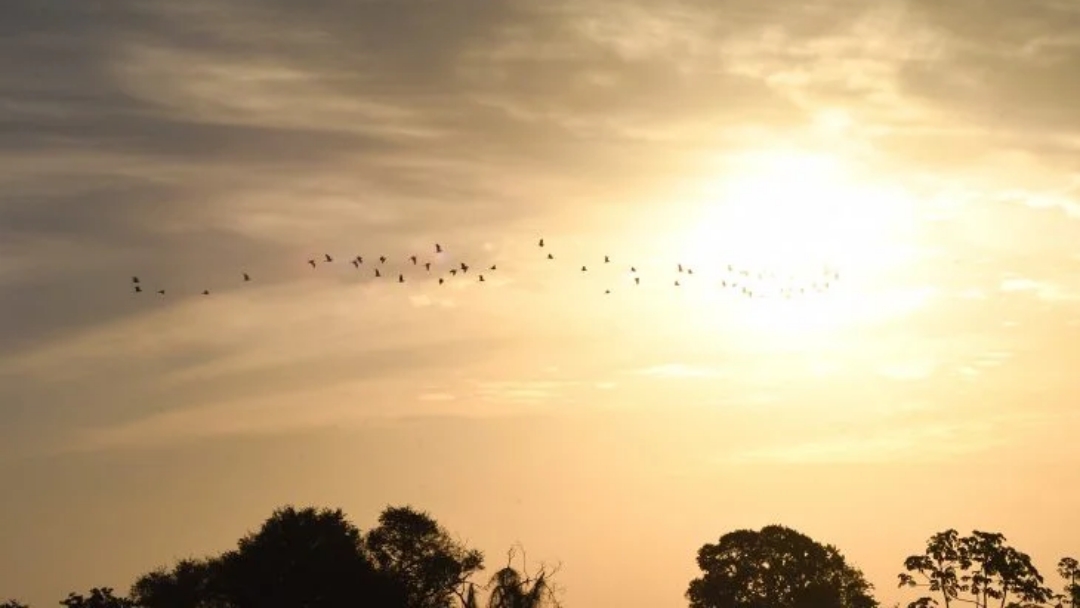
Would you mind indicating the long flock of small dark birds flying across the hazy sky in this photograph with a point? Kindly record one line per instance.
(742, 281)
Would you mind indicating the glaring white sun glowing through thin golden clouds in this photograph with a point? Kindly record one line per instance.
(794, 221)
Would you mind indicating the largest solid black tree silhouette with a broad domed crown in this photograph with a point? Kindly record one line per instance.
(308, 558)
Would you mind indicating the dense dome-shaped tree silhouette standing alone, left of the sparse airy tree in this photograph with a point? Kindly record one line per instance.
(777, 568)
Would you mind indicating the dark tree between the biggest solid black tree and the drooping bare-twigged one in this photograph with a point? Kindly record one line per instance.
(411, 547)
